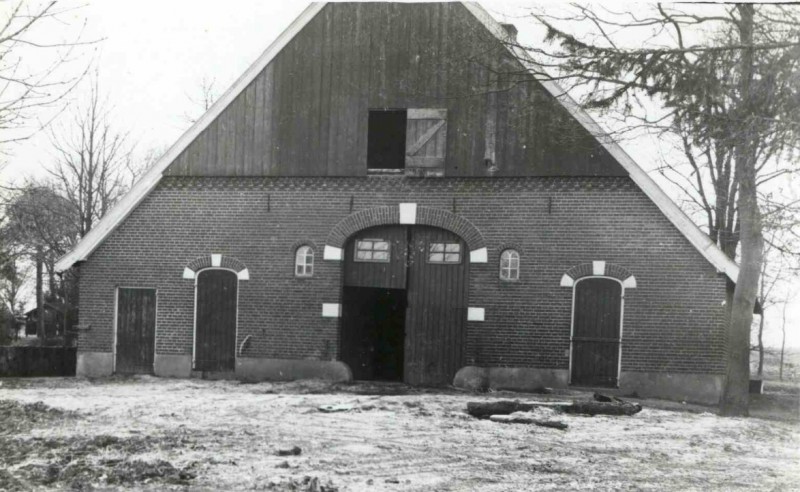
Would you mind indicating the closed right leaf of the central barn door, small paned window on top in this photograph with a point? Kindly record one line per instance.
(436, 317)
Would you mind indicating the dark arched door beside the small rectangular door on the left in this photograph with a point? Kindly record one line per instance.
(215, 318)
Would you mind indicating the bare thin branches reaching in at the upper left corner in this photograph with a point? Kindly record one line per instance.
(25, 87)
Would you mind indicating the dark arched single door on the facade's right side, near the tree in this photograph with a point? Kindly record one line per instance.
(596, 332)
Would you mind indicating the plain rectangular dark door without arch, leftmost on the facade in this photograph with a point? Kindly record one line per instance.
(136, 330)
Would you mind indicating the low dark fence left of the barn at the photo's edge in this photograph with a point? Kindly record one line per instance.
(37, 361)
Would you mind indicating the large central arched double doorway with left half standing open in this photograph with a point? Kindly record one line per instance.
(405, 304)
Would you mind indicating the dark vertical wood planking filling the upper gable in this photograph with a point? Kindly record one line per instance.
(307, 111)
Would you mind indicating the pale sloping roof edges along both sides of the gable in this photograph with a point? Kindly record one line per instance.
(150, 180)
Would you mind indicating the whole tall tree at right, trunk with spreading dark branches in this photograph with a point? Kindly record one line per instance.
(732, 98)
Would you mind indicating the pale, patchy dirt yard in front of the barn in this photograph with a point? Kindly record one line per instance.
(155, 434)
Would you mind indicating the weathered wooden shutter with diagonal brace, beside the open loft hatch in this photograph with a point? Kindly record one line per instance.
(426, 142)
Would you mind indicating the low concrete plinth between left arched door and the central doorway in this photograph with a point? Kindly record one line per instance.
(253, 369)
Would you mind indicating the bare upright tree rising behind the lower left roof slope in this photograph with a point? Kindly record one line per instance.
(93, 163)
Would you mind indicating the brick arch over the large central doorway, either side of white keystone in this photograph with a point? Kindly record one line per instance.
(391, 215)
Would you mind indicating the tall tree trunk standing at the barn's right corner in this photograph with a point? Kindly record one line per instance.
(735, 397)
